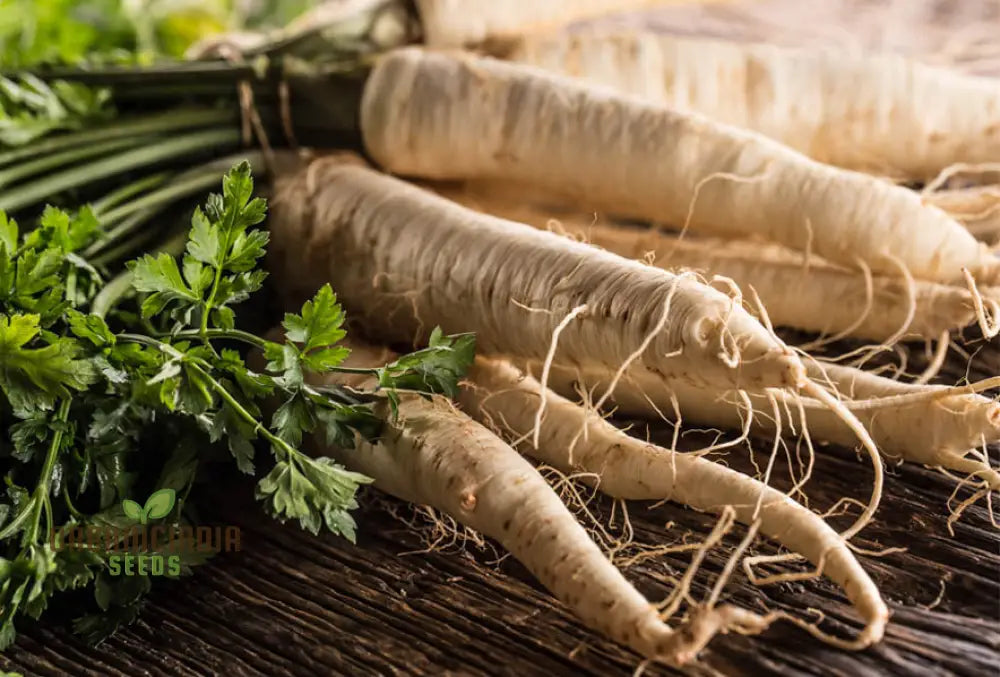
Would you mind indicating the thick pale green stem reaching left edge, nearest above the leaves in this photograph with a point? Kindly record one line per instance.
(196, 142)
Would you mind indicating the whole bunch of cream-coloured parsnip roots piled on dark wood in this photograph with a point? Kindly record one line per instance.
(517, 233)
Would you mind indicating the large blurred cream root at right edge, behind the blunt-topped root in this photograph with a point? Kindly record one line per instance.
(880, 113)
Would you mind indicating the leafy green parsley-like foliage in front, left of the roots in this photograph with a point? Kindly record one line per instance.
(109, 407)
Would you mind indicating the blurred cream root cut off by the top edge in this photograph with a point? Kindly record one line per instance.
(471, 23)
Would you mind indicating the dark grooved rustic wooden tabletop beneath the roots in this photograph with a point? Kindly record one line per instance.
(293, 604)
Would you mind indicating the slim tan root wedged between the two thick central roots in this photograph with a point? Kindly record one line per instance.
(828, 299)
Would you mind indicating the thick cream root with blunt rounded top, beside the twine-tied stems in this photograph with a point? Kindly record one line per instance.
(450, 116)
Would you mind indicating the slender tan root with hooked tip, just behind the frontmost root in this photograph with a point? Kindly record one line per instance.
(573, 439)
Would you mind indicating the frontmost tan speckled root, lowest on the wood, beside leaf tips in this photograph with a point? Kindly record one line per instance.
(434, 455)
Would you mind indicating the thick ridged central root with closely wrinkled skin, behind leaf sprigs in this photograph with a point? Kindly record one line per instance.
(404, 261)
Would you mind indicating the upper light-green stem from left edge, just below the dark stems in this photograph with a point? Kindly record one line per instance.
(169, 121)
